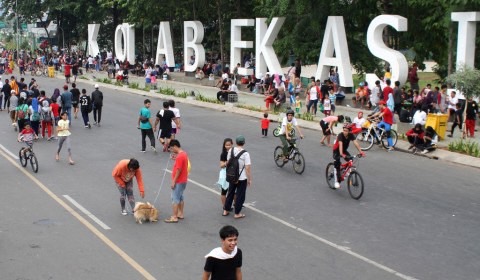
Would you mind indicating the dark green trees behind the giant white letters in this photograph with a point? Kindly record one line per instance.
(431, 34)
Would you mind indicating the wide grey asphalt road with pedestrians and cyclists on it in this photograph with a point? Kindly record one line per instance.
(418, 218)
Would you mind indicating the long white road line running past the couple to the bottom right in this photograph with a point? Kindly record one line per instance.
(314, 236)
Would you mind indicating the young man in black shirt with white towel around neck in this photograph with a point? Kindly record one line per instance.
(225, 262)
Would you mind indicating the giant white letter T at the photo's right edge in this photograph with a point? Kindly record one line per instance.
(467, 28)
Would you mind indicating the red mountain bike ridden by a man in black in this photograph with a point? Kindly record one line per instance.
(347, 170)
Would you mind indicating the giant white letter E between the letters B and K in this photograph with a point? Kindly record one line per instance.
(236, 44)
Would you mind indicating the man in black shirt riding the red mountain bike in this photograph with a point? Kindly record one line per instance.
(340, 150)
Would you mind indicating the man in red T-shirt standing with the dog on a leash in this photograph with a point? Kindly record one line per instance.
(179, 180)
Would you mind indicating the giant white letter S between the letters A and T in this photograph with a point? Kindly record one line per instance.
(398, 62)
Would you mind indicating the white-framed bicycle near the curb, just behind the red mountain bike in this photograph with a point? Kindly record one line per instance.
(374, 134)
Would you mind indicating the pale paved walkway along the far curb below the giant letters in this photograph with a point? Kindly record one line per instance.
(251, 104)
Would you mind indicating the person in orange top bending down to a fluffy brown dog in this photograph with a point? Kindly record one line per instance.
(123, 174)
